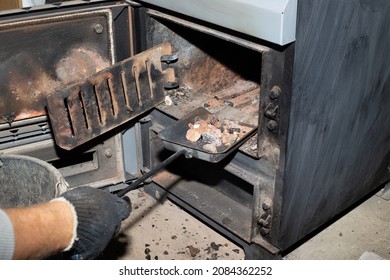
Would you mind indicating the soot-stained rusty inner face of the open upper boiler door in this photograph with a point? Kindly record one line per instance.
(40, 55)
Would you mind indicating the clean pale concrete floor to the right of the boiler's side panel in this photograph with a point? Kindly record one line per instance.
(364, 229)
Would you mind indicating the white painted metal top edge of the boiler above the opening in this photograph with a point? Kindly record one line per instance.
(269, 20)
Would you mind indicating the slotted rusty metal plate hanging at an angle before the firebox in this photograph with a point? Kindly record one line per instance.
(109, 98)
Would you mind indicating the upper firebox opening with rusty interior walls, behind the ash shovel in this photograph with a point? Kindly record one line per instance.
(213, 72)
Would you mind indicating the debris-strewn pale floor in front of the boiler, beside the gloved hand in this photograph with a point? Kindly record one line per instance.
(163, 231)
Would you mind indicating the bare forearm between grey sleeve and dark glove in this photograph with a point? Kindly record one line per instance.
(41, 230)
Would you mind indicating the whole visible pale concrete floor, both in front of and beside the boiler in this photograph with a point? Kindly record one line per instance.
(164, 231)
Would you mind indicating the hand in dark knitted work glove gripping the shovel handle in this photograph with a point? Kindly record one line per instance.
(99, 216)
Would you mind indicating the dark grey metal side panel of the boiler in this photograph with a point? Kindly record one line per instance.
(338, 139)
